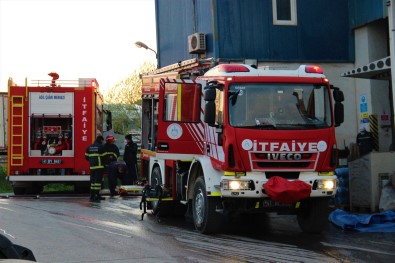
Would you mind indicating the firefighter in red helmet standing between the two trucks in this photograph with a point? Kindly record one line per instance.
(110, 157)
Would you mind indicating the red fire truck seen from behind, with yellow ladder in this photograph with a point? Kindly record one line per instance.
(50, 124)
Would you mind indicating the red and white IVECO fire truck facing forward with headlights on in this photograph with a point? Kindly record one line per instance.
(240, 141)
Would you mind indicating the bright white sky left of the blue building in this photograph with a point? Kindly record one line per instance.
(75, 38)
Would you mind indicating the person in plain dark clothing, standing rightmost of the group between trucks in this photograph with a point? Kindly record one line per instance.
(130, 158)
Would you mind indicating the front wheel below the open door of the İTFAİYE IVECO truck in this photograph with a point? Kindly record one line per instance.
(205, 218)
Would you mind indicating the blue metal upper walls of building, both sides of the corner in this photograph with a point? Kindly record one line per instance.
(240, 29)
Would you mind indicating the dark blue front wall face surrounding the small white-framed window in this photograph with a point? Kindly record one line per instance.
(246, 30)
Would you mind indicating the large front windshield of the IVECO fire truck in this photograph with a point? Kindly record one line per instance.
(279, 106)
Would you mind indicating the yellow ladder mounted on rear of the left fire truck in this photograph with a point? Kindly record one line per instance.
(16, 146)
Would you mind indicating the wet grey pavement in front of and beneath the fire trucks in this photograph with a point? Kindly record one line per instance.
(65, 229)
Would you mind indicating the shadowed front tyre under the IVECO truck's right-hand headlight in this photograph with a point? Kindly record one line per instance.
(313, 214)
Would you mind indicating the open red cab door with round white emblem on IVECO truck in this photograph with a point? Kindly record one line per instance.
(180, 125)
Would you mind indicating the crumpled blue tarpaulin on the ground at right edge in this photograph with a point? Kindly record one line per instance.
(377, 222)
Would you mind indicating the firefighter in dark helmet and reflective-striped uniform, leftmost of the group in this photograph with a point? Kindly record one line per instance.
(93, 155)
